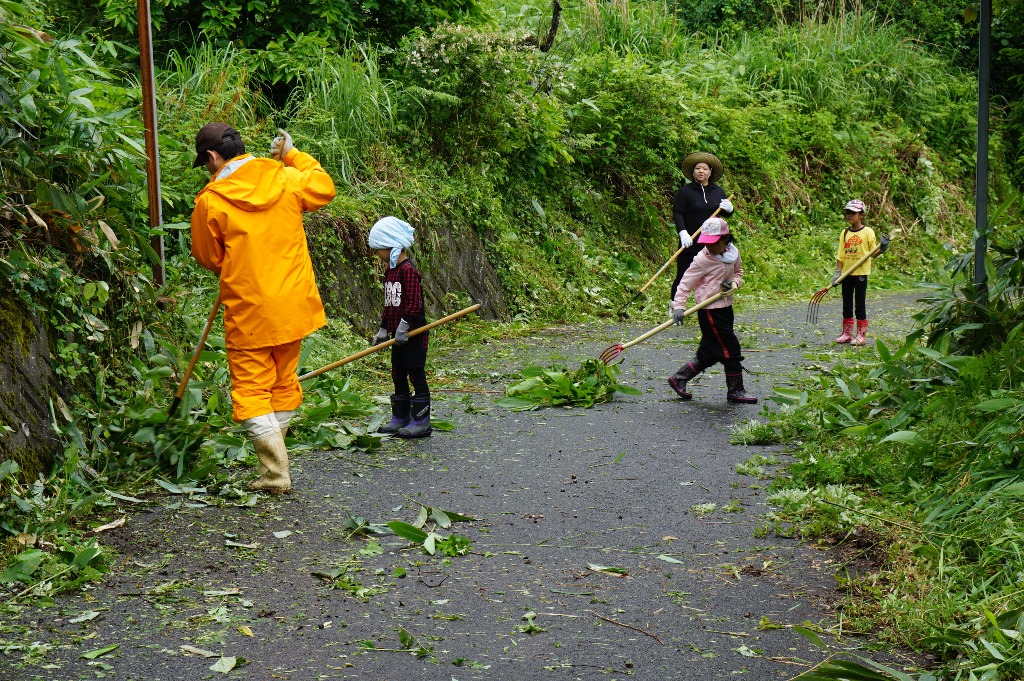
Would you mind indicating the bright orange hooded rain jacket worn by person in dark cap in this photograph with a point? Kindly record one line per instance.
(247, 228)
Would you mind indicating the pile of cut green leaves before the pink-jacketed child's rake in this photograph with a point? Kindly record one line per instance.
(558, 387)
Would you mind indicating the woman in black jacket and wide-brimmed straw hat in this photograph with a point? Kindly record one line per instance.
(695, 203)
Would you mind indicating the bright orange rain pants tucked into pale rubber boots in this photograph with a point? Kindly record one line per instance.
(265, 380)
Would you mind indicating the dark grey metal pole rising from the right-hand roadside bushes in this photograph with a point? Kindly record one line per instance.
(982, 179)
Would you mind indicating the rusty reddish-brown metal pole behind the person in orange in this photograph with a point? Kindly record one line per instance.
(152, 146)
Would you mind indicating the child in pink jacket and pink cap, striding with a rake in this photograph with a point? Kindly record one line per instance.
(717, 268)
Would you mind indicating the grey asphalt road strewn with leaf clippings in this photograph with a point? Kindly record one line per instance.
(557, 490)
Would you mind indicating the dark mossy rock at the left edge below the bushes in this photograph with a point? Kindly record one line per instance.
(27, 382)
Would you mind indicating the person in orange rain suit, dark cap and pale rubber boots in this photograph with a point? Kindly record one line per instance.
(247, 228)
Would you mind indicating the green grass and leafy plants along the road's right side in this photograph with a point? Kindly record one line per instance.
(912, 456)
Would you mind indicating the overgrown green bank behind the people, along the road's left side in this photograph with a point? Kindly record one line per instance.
(559, 167)
